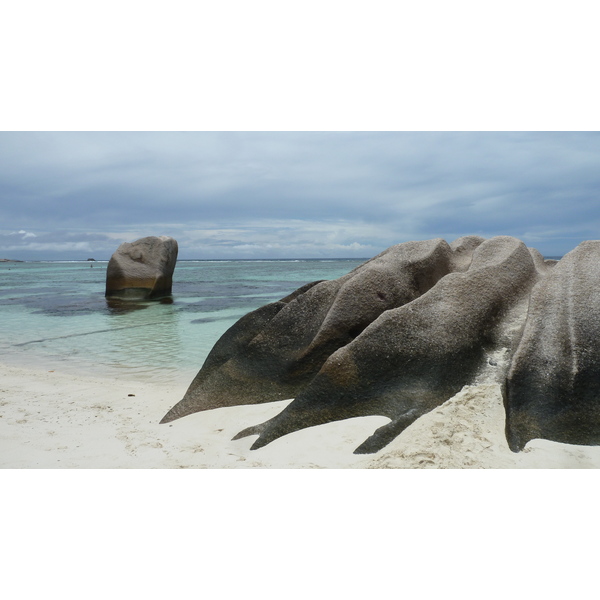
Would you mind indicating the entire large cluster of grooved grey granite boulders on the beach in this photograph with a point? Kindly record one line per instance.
(405, 331)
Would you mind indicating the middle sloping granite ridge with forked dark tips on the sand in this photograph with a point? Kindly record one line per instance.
(414, 358)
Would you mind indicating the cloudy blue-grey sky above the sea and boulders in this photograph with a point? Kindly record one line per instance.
(78, 195)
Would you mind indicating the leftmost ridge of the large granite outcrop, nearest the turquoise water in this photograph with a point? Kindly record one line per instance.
(274, 352)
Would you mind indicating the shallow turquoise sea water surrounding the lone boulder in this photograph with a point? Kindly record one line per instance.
(54, 315)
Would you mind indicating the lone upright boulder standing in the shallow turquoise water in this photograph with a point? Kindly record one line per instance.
(142, 270)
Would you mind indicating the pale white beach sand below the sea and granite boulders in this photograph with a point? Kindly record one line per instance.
(57, 420)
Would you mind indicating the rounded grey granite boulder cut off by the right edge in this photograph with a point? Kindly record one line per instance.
(553, 386)
